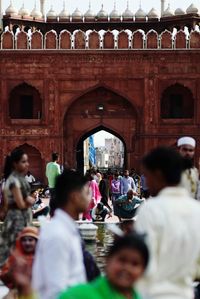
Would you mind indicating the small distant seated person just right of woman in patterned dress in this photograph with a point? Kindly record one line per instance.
(39, 208)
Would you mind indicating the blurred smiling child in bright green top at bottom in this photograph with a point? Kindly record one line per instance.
(126, 263)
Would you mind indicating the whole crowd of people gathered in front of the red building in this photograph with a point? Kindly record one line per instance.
(155, 255)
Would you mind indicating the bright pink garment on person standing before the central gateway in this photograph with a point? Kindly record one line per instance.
(96, 197)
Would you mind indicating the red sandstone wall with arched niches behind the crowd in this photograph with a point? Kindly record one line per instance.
(62, 78)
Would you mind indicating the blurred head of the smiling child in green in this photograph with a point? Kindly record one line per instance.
(127, 261)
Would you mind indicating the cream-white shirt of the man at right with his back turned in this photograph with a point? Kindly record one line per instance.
(171, 221)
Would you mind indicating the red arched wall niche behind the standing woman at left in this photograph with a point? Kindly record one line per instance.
(36, 163)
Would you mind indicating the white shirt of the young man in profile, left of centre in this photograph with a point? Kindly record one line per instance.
(59, 260)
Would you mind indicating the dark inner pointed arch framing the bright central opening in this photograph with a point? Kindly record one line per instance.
(80, 146)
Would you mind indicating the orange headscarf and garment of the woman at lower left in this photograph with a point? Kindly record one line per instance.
(16, 254)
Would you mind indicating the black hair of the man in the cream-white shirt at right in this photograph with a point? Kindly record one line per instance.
(168, 161)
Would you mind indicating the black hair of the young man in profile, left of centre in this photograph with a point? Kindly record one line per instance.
(66, 183)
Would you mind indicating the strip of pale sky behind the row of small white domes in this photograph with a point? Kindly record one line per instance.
(96, 4)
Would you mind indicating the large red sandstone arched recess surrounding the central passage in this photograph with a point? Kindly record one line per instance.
(98, 108)
